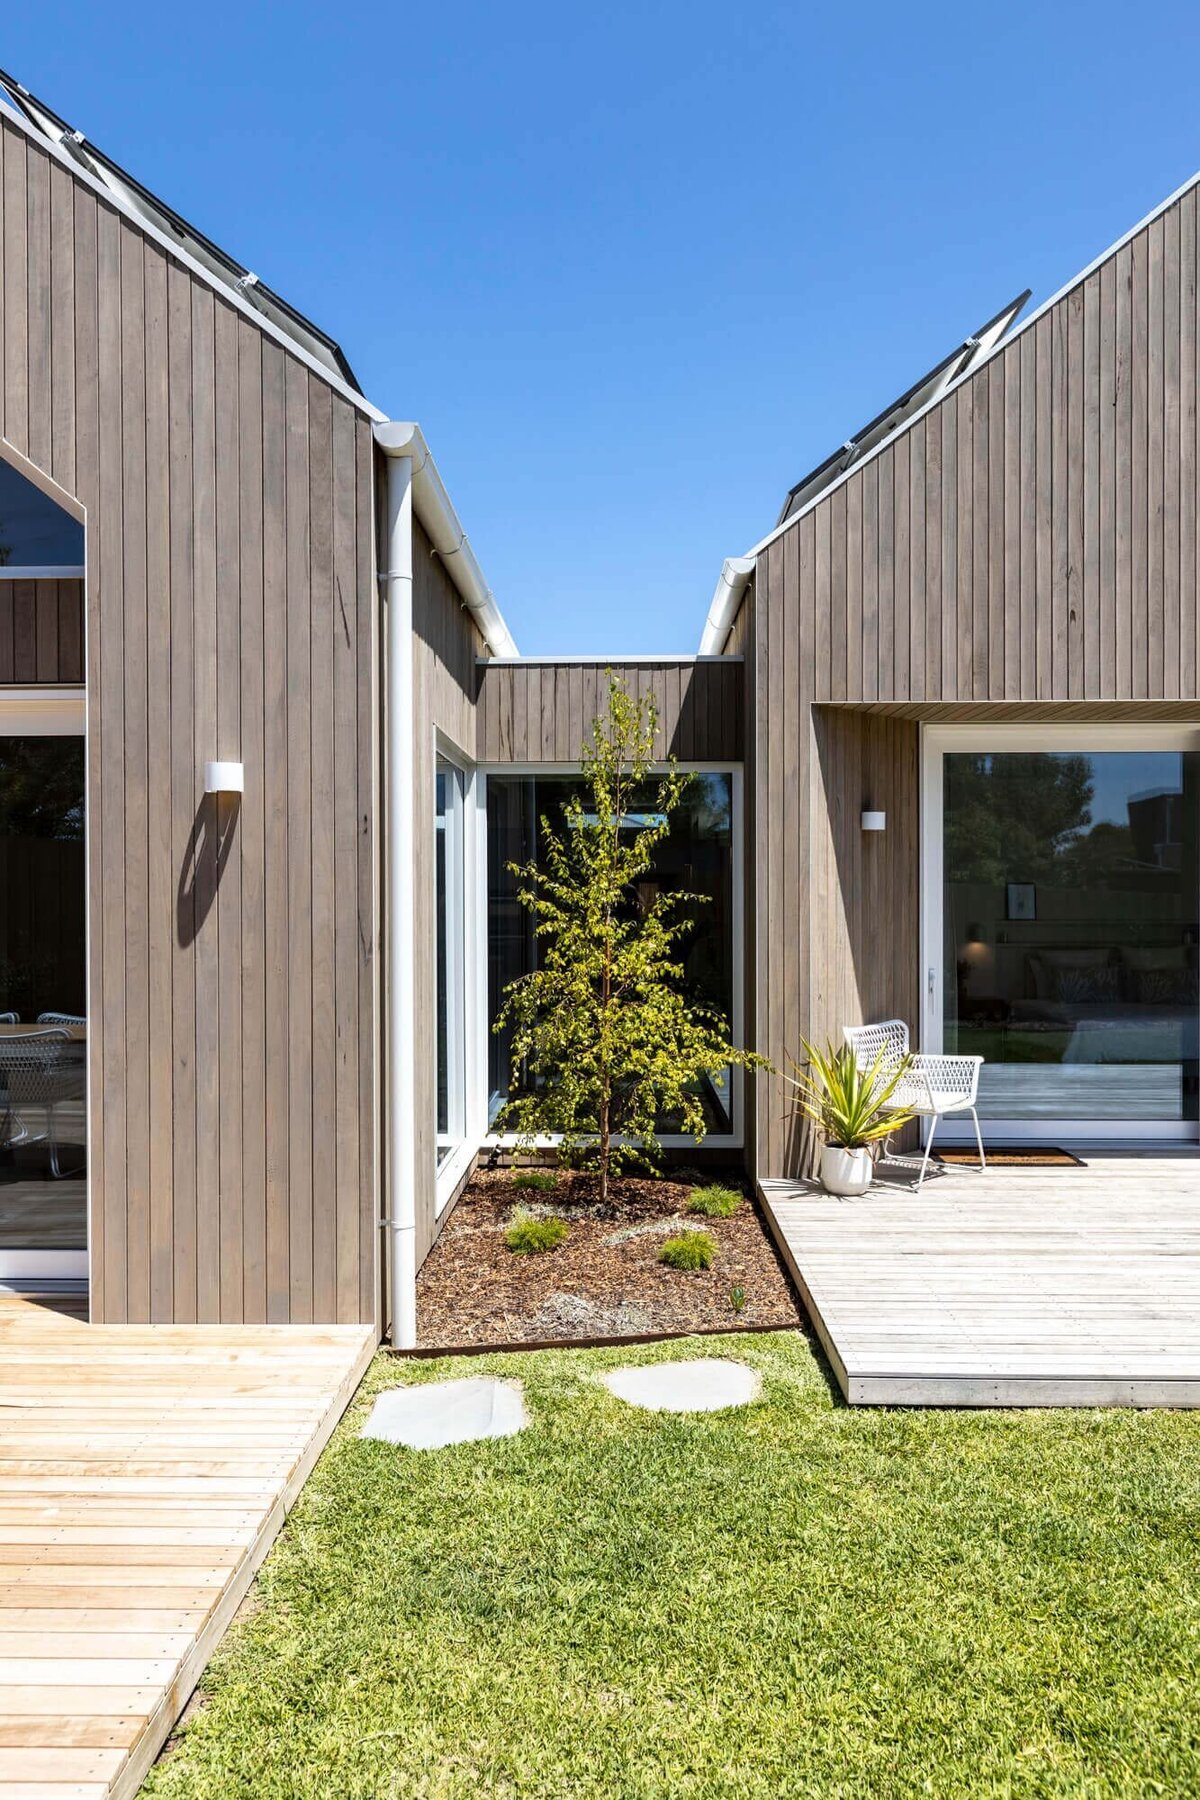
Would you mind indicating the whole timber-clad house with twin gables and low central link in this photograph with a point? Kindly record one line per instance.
(267, 751)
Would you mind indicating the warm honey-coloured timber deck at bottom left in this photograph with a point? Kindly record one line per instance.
(145, 1473)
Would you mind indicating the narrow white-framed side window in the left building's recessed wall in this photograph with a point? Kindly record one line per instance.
(451, 942)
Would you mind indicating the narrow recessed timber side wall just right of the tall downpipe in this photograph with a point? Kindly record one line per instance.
(445, 651)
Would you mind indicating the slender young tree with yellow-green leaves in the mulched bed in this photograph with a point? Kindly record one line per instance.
(604, 1027)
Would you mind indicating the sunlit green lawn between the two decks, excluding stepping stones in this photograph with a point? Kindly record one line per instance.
(791, 1599)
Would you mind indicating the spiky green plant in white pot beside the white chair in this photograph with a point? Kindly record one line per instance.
(852, 1111)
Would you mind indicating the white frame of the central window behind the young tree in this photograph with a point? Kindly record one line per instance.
(731, 1140)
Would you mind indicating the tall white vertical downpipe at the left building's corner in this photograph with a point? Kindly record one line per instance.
(400, 1219)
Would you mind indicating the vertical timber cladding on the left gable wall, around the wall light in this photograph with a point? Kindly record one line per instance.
(229, 613)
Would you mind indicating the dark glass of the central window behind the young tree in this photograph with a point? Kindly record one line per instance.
(697, 858)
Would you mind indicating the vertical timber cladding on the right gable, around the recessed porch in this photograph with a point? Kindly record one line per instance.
(1030, 541)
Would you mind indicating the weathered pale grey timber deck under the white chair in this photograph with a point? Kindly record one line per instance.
(1010, 1288)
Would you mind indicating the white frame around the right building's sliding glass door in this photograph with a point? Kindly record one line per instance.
(998, 737)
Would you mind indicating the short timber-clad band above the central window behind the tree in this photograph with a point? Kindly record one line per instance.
(544, 712)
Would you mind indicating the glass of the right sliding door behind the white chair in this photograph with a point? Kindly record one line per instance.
(1070, 931)
